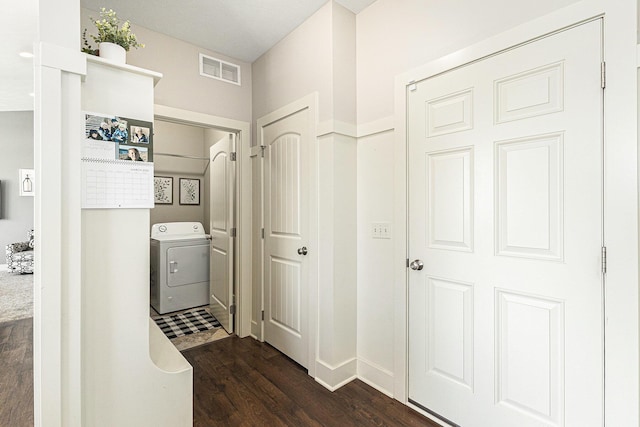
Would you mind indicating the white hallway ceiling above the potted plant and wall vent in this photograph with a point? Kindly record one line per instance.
(241, 29)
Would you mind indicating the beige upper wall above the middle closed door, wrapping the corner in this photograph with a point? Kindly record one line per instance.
(318, 56)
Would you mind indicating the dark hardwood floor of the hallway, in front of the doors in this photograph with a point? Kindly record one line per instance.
(242, 382)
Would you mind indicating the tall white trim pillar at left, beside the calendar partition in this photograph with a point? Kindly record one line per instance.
(57, 344)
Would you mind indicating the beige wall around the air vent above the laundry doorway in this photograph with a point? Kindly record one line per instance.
(182, 86)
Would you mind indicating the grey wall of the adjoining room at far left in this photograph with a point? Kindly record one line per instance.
(16, 146)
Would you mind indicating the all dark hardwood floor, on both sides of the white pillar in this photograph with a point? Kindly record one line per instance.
(237, 382)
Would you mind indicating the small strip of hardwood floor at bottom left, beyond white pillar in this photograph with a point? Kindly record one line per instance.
(16, 373)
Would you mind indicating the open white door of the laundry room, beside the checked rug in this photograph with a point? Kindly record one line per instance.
(221, 207)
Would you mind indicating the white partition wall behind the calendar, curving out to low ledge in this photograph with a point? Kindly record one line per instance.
(131, 374)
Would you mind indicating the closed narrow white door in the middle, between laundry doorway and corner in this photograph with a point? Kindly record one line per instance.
(286, 221)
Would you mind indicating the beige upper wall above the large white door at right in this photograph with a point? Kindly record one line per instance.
(394, 36)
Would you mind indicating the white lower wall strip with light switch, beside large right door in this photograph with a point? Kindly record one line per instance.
(375, 270)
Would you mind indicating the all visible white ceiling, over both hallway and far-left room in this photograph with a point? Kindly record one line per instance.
(241, 29)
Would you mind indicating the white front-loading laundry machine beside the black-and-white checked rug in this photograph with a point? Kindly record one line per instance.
(179, 266)
